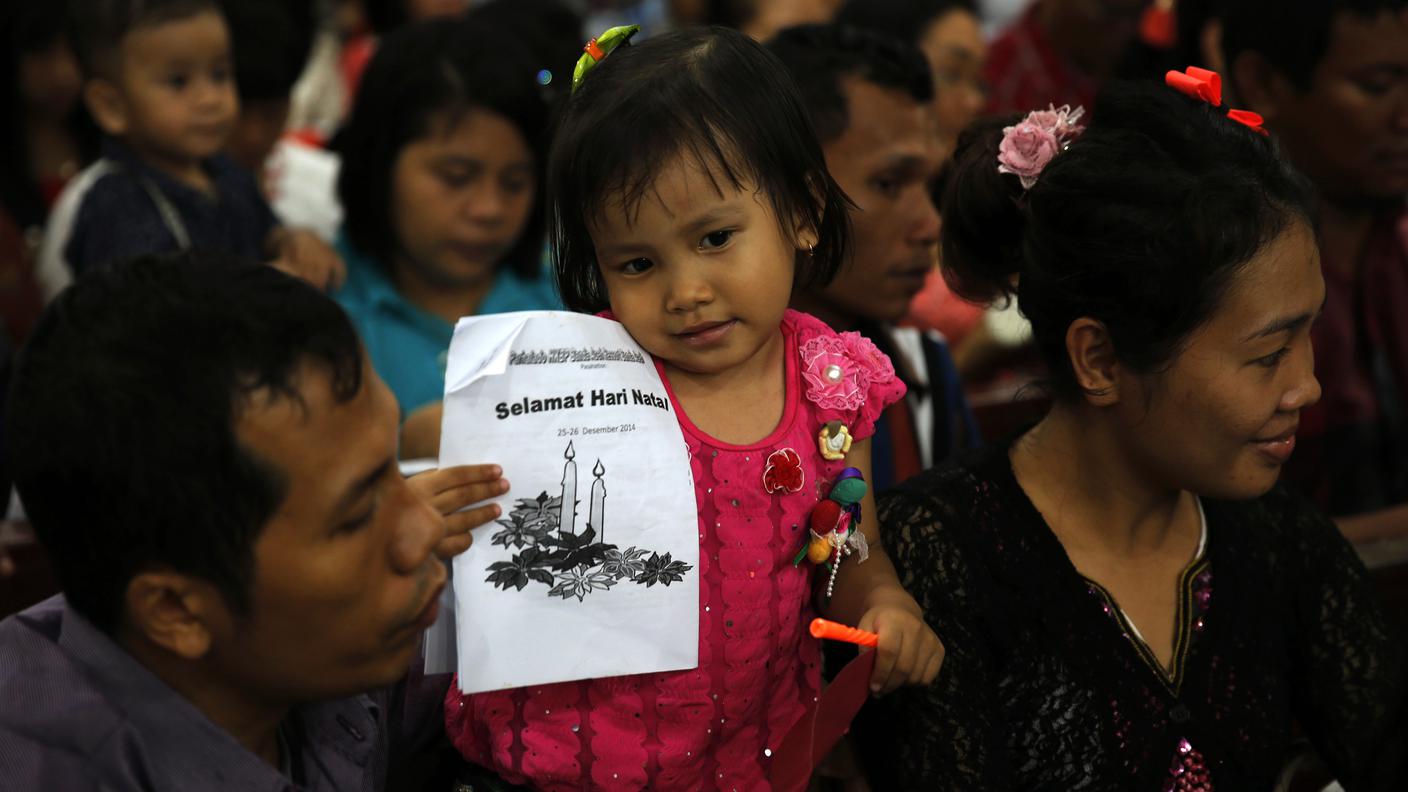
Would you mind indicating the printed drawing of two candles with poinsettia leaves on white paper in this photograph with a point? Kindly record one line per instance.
(548, 549)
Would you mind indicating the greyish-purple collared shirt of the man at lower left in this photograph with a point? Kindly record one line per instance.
(78, 712)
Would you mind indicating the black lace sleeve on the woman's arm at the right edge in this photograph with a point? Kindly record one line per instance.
(1350, 664)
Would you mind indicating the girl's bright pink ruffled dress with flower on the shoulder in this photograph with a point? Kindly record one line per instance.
(715, 726)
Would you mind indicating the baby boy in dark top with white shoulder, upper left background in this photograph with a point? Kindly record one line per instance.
(160, 82)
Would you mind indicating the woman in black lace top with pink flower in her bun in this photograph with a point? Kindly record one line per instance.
(1127, 600)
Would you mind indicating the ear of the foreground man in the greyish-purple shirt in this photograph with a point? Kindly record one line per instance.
(175, 612)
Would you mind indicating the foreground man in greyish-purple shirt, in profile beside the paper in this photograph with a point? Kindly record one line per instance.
(210, 466)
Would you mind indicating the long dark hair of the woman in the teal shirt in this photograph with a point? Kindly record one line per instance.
(420, 74)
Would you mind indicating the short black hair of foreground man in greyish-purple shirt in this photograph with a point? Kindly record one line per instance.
(153, 474)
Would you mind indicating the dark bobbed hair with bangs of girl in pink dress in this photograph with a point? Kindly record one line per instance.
(713, 95)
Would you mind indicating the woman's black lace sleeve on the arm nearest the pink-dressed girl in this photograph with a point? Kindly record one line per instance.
(943, 736)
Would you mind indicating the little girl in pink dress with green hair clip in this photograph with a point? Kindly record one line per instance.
(689, 194)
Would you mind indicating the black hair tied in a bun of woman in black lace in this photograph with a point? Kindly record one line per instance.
(1141, 225)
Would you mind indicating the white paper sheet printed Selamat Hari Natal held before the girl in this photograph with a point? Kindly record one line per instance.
(593, 567)
